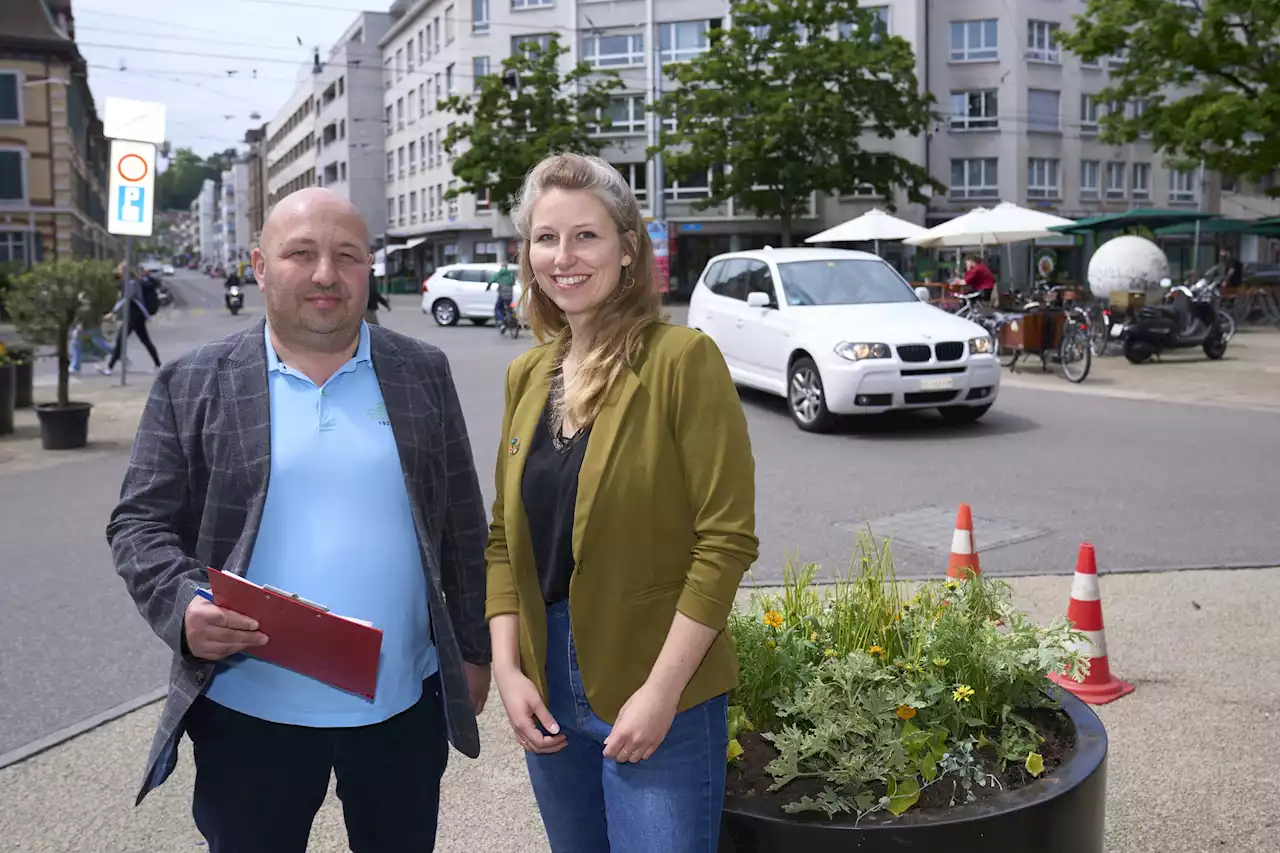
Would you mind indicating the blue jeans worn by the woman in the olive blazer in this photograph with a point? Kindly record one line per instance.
(670, 804)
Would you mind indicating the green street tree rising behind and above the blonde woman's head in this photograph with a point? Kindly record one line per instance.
(511, 131)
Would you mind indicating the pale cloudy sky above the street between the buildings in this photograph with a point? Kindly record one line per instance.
(212, 63)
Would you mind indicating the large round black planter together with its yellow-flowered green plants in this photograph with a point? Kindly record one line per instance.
(875, 718)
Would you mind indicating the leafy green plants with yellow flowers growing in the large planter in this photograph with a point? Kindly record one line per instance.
(880, 694)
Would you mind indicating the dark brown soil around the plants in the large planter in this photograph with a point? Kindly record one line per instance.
(748, 777)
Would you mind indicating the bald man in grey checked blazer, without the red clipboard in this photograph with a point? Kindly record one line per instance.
(331, 459)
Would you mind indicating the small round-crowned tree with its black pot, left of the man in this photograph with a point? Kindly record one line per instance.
(47, 303)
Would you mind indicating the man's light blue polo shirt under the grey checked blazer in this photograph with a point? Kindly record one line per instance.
(337, 530)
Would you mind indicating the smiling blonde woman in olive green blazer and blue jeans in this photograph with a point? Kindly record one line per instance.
(624, 522)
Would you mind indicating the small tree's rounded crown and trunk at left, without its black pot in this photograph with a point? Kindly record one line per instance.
(53, 297)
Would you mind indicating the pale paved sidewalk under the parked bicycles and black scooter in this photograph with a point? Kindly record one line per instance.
(1249, 376)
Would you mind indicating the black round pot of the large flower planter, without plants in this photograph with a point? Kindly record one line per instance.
(1063, 813)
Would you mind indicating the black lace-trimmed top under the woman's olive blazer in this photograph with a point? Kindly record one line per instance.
(550, 490)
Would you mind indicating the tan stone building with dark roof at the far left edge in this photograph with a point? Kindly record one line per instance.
(53, 154)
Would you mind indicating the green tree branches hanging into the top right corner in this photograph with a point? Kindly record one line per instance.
(1208, 70)
